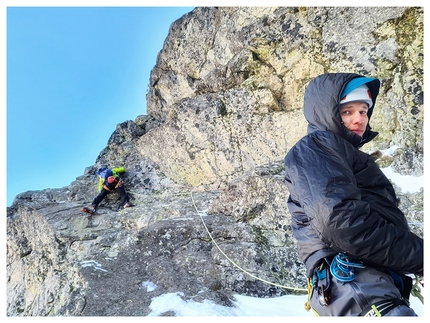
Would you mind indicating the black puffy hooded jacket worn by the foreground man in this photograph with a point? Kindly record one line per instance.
(340, 201)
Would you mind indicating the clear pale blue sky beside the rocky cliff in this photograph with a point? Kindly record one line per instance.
(73, 74)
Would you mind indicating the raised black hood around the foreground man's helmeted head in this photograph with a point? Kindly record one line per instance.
(322, 107)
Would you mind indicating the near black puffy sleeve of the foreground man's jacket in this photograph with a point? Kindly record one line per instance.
(322, 181)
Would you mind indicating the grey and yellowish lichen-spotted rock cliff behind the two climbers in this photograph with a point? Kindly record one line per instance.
(204, 166)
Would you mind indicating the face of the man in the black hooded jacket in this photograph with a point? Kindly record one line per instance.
(354, 117)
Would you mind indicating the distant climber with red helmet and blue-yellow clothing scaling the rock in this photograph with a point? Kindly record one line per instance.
(109, 181)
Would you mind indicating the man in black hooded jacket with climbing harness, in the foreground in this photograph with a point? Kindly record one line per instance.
(356, 244)
